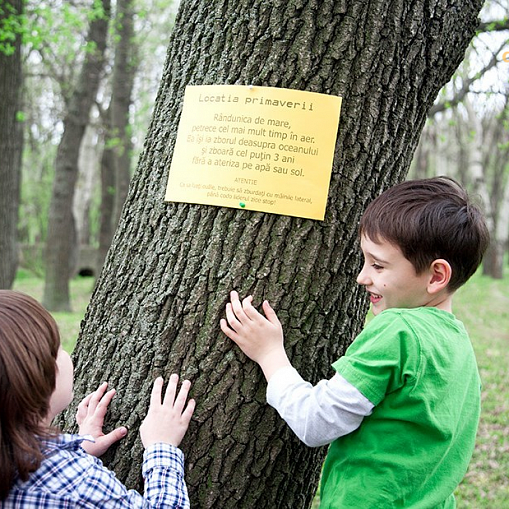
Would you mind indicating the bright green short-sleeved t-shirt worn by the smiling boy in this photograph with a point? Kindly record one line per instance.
(418, 368)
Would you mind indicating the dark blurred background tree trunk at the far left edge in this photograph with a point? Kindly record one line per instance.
(11, 143)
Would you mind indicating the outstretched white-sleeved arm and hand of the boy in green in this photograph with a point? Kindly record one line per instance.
(317, 415)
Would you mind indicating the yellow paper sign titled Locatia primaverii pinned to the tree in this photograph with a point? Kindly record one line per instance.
(255, 148)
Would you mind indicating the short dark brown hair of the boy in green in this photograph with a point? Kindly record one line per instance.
(430, 219)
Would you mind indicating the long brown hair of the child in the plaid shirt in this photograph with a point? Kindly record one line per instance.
(29, 344)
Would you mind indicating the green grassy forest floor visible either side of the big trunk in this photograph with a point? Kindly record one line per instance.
(483, 306)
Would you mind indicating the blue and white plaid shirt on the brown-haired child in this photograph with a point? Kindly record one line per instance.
(69, 477)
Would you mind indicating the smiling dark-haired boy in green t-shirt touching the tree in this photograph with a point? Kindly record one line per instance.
(402, 410)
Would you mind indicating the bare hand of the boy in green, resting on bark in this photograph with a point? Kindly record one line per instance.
(259, 337)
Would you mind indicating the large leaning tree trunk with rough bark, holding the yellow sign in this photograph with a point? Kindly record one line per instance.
(158, 301)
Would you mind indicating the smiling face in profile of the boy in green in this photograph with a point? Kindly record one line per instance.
(390, 278)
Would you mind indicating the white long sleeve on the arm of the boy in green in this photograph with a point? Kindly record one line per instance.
(317, 414)
